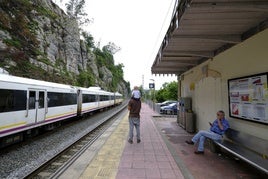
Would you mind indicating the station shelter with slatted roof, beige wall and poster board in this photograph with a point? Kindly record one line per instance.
(219, 51)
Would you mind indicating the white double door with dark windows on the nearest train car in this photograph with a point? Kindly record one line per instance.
(36, 105)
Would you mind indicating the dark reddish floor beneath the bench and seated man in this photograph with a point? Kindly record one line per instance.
(207, 166)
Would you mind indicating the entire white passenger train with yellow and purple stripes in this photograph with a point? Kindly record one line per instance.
(28, 105)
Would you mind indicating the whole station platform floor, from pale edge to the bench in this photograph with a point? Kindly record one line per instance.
(162, 153)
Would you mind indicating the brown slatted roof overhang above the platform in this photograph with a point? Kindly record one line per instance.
(201, 29)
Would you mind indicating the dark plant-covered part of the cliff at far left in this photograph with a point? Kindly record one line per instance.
(17, 20)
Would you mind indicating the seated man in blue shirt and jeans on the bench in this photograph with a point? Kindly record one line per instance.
(217, 129)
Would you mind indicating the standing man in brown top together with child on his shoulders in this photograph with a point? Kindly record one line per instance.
(134, 107)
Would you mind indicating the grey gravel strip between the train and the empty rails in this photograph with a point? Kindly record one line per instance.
(20, 161)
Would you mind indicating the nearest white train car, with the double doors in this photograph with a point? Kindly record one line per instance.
(27, 103)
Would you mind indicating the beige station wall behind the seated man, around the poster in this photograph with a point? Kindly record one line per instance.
(208, 88)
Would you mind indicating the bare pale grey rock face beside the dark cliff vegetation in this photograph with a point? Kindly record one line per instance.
(60, 39)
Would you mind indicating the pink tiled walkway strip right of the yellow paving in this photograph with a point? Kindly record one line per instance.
(150, 158)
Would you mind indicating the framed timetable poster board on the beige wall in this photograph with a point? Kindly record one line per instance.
(248, 98)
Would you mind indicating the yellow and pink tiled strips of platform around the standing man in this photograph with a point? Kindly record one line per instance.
(148, 159)
